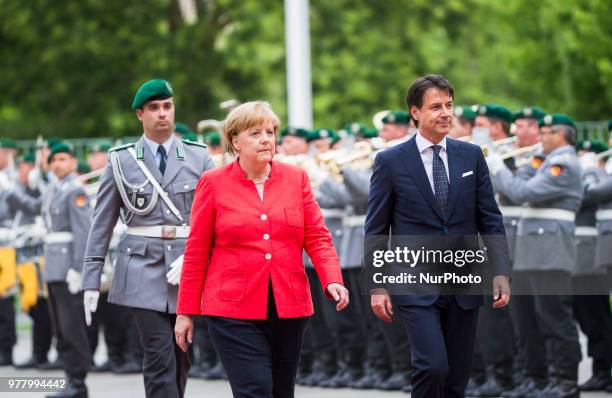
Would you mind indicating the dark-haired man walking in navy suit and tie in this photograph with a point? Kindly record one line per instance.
(432, 186)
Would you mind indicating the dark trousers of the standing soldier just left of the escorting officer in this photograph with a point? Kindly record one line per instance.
(68, 319)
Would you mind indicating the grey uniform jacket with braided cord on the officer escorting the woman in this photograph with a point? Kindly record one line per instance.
(142, 262)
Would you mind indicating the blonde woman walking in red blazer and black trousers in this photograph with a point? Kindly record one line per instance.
(242, 266)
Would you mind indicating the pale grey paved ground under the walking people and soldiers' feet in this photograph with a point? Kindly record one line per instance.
(107, 385)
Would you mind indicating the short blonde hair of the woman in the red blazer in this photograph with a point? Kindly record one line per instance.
(245, 116)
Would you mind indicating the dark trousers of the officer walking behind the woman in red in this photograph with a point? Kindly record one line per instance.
(164, 365)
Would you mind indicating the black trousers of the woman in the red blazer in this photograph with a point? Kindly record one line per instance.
(259, 356)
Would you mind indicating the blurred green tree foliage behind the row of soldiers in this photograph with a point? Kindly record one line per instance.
(71, 68)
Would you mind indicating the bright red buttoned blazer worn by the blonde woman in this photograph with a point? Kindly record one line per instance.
(237, 243)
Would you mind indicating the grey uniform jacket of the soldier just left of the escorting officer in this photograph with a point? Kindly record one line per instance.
(67, 215)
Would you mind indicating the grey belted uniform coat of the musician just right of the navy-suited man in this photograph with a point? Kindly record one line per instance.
(545, 232)
